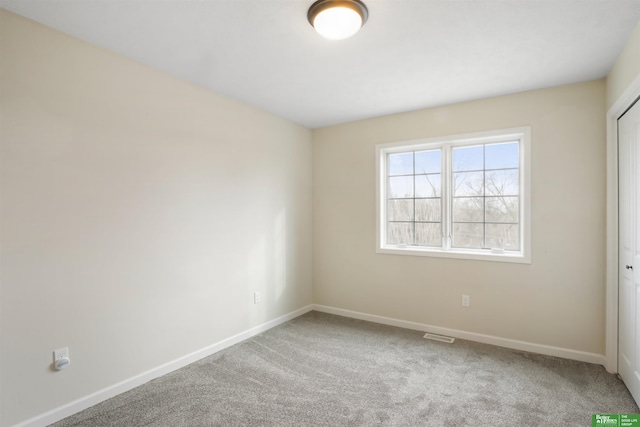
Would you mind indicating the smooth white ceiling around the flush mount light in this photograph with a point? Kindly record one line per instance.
(411, 54)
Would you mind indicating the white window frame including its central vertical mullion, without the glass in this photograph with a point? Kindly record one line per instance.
(446, 144)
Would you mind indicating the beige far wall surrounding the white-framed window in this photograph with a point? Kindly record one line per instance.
(558, 300)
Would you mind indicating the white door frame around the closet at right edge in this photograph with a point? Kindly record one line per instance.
(621, 105)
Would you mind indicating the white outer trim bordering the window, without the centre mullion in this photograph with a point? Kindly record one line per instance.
(523, 134)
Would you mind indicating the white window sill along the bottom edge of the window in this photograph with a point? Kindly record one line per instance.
(512, 257)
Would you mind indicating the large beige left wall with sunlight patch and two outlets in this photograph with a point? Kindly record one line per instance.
(139, 214)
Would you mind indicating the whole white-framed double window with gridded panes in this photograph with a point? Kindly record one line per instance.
(465, 196)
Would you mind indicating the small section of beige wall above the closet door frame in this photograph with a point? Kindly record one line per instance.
(625, 69)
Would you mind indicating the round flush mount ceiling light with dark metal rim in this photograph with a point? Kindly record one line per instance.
(337, 19)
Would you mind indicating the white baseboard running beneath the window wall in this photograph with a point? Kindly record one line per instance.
(548, 350)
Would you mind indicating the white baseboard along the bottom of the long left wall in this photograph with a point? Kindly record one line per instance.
(69, 409)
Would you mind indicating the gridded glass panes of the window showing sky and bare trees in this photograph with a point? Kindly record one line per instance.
(485, 199)
